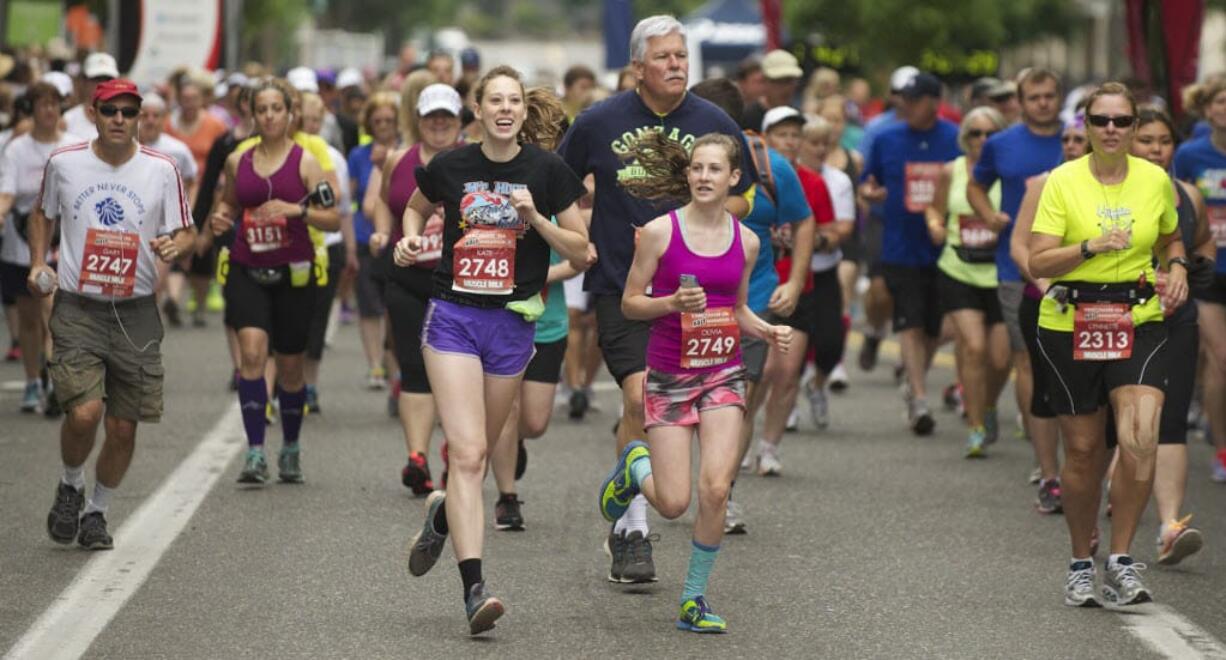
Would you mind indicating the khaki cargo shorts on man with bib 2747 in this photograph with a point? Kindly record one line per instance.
(95, 359)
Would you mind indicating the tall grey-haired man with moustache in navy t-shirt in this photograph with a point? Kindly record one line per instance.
(595, 145)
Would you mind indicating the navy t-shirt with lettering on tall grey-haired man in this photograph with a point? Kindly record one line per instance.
(596, 144)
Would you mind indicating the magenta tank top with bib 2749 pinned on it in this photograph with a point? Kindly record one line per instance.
(691, 344)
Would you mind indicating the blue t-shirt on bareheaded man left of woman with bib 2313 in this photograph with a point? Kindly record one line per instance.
(1013, 156)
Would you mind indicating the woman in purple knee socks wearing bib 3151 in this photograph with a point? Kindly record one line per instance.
(273, 288)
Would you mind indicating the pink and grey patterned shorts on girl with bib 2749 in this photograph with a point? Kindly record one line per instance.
(679, 399)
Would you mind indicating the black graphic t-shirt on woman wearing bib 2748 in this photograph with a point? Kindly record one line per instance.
(475, 193)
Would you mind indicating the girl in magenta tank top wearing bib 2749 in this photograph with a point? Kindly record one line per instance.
(697, 262)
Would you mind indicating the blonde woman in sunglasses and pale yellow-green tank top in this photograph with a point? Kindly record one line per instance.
(968, 280)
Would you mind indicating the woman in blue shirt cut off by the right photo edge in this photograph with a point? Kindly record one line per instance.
(1202, 163)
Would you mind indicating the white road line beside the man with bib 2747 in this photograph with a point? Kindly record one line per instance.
(110, 580)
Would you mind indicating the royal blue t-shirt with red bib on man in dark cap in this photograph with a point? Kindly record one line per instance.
(898, 150)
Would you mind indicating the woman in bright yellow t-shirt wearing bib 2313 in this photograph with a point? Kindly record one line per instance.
(1100, 221)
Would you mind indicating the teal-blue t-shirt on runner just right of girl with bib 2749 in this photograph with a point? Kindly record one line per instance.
(793, 208)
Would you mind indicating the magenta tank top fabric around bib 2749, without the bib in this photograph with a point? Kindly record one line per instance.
(719, 277)
